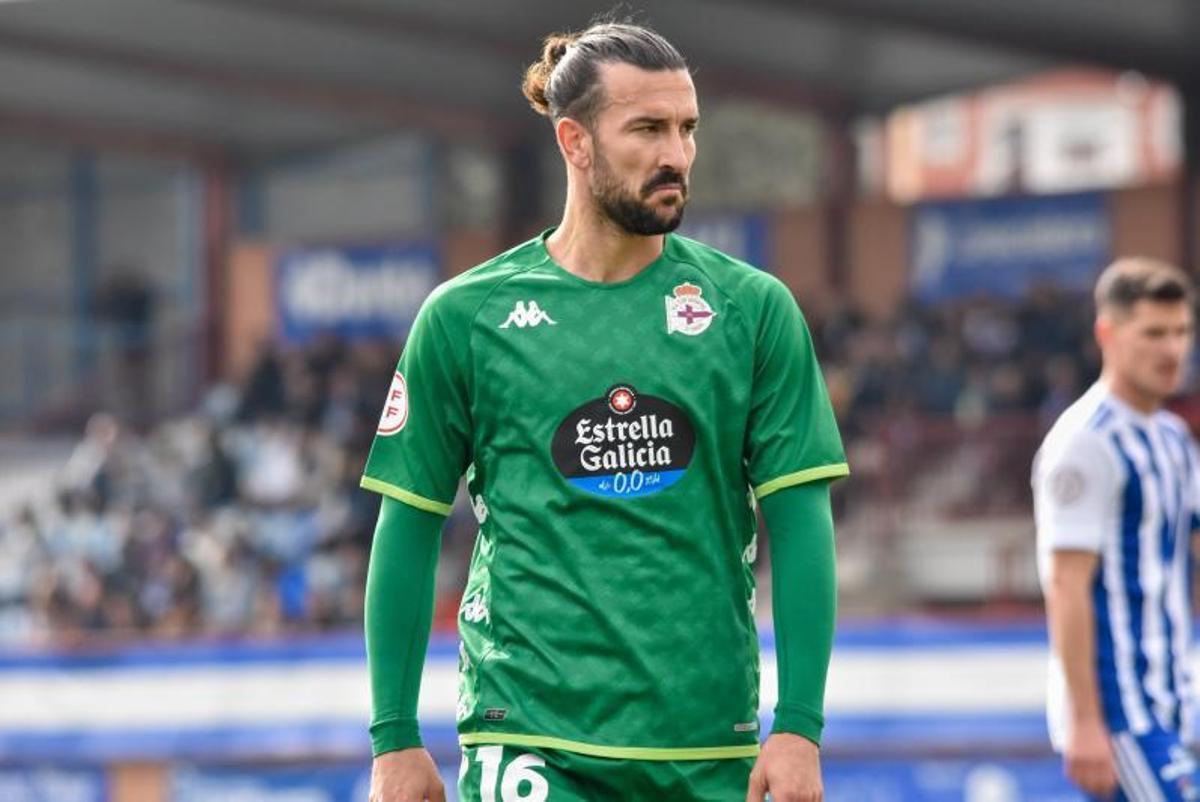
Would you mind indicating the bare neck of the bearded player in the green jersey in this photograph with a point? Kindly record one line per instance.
(597, 250)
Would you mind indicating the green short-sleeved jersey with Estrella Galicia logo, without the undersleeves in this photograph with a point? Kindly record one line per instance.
(615, 438)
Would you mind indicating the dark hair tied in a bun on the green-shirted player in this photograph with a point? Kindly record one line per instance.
(566, 82)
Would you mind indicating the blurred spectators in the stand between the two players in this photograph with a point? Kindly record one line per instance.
(968, 361)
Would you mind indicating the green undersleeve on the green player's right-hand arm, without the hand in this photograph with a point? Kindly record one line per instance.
(805, 601)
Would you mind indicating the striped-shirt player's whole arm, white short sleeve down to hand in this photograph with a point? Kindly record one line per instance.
(1076, 494)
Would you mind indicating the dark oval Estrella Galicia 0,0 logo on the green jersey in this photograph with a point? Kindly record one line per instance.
(625, 445)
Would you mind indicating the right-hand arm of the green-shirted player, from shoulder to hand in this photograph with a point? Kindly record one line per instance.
(794, 451)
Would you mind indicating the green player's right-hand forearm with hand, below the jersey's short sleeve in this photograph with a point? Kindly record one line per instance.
(805, 605)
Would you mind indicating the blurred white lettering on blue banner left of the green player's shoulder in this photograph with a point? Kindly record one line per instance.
(327, 288)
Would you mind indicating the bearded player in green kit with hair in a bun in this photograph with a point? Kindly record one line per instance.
(620, 399)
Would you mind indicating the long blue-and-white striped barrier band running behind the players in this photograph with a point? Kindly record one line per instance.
(224, 710)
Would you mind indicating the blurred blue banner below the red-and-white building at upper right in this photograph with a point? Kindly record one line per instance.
(1001, 247)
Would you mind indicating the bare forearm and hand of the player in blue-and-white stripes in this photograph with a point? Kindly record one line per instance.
(1089, 755)
